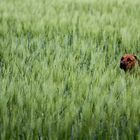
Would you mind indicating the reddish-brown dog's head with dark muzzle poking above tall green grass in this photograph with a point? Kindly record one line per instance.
(128, 62)
